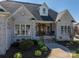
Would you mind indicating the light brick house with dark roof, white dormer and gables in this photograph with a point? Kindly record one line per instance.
(28, 20)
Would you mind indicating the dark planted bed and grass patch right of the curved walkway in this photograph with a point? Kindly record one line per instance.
(73, 46)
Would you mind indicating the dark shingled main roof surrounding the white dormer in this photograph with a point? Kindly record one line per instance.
(12, 6)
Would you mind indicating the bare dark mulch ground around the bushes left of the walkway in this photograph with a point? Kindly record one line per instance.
(25, 54)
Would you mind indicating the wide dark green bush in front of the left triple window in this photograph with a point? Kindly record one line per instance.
(26, 44)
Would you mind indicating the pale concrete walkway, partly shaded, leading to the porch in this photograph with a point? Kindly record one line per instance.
(58, 51)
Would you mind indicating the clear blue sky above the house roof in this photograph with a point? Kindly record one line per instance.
(60, 5)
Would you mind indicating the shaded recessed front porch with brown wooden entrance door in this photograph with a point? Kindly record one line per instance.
(45, 29)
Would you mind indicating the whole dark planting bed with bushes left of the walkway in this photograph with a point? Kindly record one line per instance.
(27, 49)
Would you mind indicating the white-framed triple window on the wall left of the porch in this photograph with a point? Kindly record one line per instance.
(22, 29)
